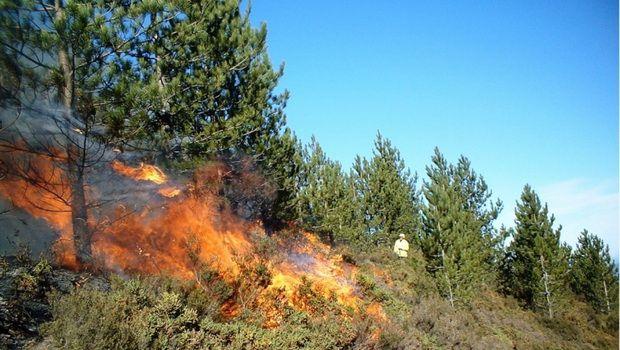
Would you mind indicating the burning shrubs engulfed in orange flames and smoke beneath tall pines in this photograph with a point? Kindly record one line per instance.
(196, 235)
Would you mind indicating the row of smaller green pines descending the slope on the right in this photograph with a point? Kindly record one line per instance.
(450, 219)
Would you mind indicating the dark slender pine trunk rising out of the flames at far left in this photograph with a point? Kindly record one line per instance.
(75, 157)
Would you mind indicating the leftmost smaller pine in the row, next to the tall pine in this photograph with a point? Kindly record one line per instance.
(326, 199)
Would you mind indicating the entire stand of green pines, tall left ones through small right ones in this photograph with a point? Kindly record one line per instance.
(185, 82)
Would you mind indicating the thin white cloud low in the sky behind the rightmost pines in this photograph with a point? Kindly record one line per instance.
(580, 204)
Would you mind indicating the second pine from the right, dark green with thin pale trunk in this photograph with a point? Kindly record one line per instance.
(536, 261)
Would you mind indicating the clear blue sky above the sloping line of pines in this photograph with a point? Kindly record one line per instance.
(528, 90)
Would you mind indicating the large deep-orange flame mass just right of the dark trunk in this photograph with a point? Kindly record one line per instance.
(159, 241)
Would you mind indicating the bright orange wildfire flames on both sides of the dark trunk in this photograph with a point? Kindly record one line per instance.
(179, 231)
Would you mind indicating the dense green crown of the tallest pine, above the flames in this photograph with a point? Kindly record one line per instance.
(201, 82)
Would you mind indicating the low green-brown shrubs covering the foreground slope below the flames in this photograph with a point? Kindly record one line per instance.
(164, 313)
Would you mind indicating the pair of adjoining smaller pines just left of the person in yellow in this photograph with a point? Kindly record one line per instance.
(373, 204)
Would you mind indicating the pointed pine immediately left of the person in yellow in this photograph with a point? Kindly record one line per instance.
(387, 193)
